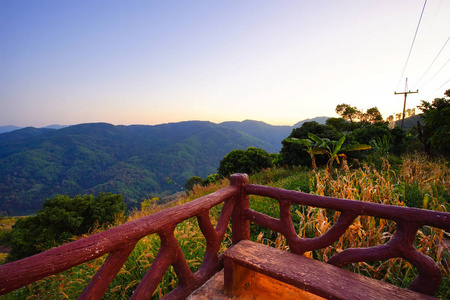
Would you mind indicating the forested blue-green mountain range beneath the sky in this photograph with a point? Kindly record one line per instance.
(136, 161)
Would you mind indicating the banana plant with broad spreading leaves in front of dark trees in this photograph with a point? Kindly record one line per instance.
(333, 149)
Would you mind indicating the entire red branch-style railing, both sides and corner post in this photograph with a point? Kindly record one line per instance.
(118, 242)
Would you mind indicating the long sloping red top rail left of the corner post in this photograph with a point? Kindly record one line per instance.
(20, 273)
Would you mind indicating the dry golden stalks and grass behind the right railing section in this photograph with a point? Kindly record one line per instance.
(371, 185)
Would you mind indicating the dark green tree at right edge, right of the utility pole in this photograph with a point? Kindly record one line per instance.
(435, 133)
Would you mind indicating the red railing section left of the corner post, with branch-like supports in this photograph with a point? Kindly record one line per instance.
(118, 242)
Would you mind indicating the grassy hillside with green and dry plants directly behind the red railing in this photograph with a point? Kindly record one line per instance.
(413, 178)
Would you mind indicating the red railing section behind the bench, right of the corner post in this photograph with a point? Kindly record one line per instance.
(408, 220)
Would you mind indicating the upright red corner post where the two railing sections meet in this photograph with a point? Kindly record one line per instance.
(239, 223)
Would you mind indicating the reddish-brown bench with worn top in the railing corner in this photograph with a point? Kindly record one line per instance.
(318, 278)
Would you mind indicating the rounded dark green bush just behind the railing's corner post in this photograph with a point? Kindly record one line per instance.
(249, 161)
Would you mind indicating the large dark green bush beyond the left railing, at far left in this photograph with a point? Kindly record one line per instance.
(60, 219)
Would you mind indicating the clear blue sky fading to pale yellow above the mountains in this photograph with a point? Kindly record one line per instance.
(150, 62)
